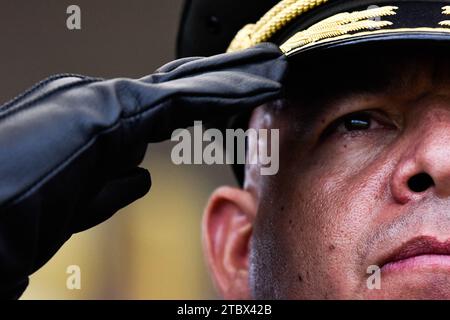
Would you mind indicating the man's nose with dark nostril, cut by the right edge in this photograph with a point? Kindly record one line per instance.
(424, 167)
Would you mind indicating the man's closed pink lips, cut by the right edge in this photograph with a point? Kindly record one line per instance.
(420, 252)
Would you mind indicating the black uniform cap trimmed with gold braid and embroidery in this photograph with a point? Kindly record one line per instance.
(208, 27)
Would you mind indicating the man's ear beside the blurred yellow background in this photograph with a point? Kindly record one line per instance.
(227, 229)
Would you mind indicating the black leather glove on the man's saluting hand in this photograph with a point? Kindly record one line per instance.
(70, 146)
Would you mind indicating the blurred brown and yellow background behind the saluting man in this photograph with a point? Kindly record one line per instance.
(151, 249)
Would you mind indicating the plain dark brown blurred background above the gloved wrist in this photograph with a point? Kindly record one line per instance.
(118, 38)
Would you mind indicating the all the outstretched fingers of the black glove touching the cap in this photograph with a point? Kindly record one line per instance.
(208, 89)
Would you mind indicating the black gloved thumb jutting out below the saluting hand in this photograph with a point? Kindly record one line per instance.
(115, 195)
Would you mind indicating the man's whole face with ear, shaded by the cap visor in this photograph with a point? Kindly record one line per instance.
(364, 180)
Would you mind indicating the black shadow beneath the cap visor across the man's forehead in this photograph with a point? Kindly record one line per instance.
(319, 83)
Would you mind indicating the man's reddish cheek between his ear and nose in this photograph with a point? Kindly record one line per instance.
(325, 209)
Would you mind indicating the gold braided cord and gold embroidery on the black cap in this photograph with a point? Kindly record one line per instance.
(370, 21)
